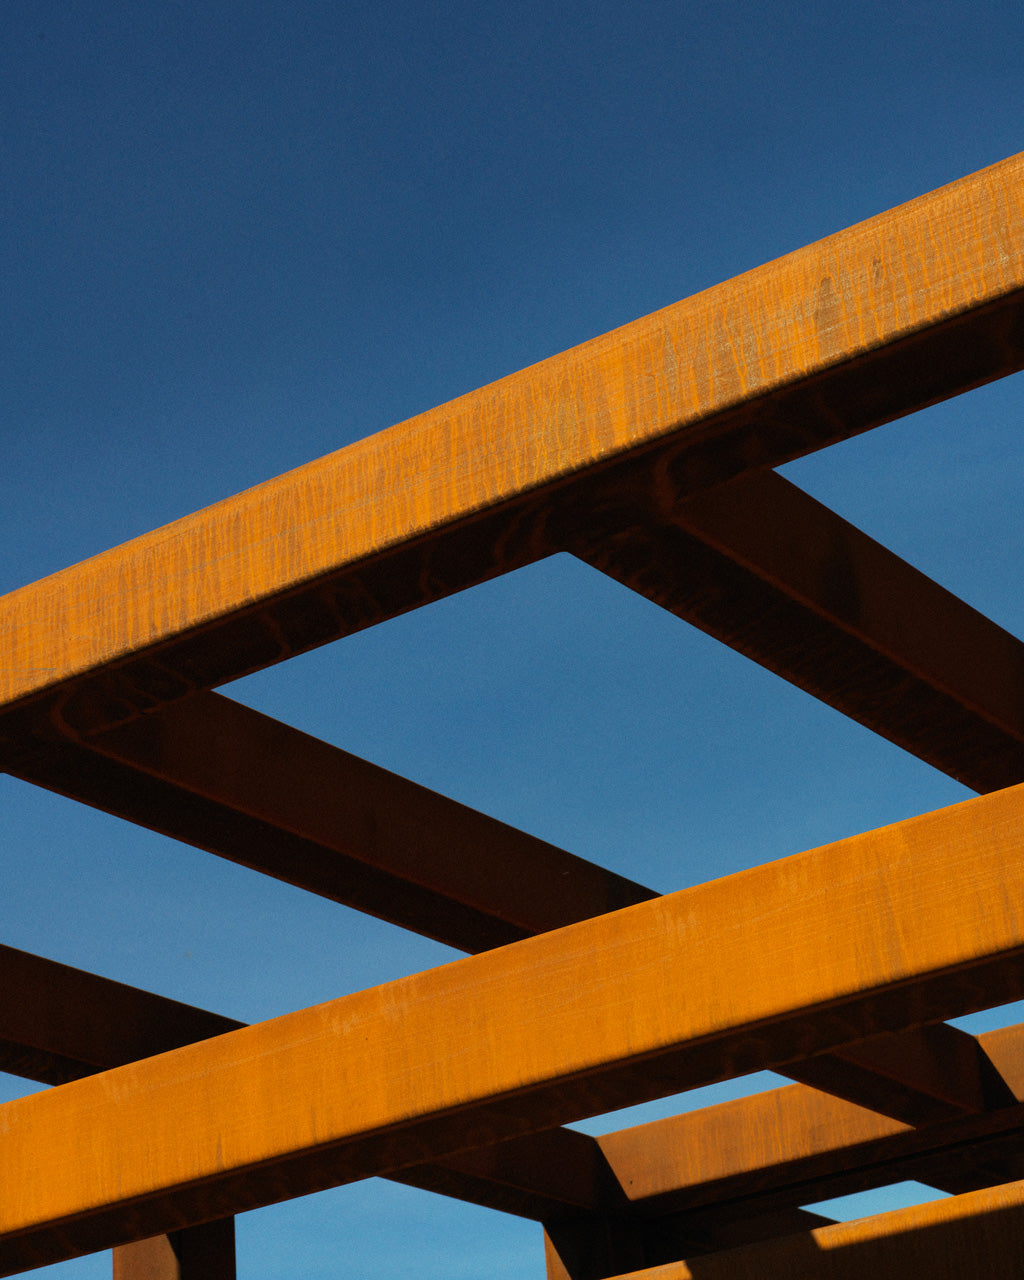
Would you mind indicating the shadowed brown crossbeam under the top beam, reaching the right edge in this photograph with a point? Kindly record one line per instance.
(770, 572)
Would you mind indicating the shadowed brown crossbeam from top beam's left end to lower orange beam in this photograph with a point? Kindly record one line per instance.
(218, 775)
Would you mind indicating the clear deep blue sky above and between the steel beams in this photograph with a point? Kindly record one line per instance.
(240, 236)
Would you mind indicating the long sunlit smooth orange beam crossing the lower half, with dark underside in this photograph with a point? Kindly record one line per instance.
(628, 1007)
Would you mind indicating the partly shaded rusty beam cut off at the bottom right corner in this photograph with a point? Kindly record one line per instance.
(977, 1235)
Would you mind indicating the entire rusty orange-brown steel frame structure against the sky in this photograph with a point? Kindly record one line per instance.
(648, 454)
